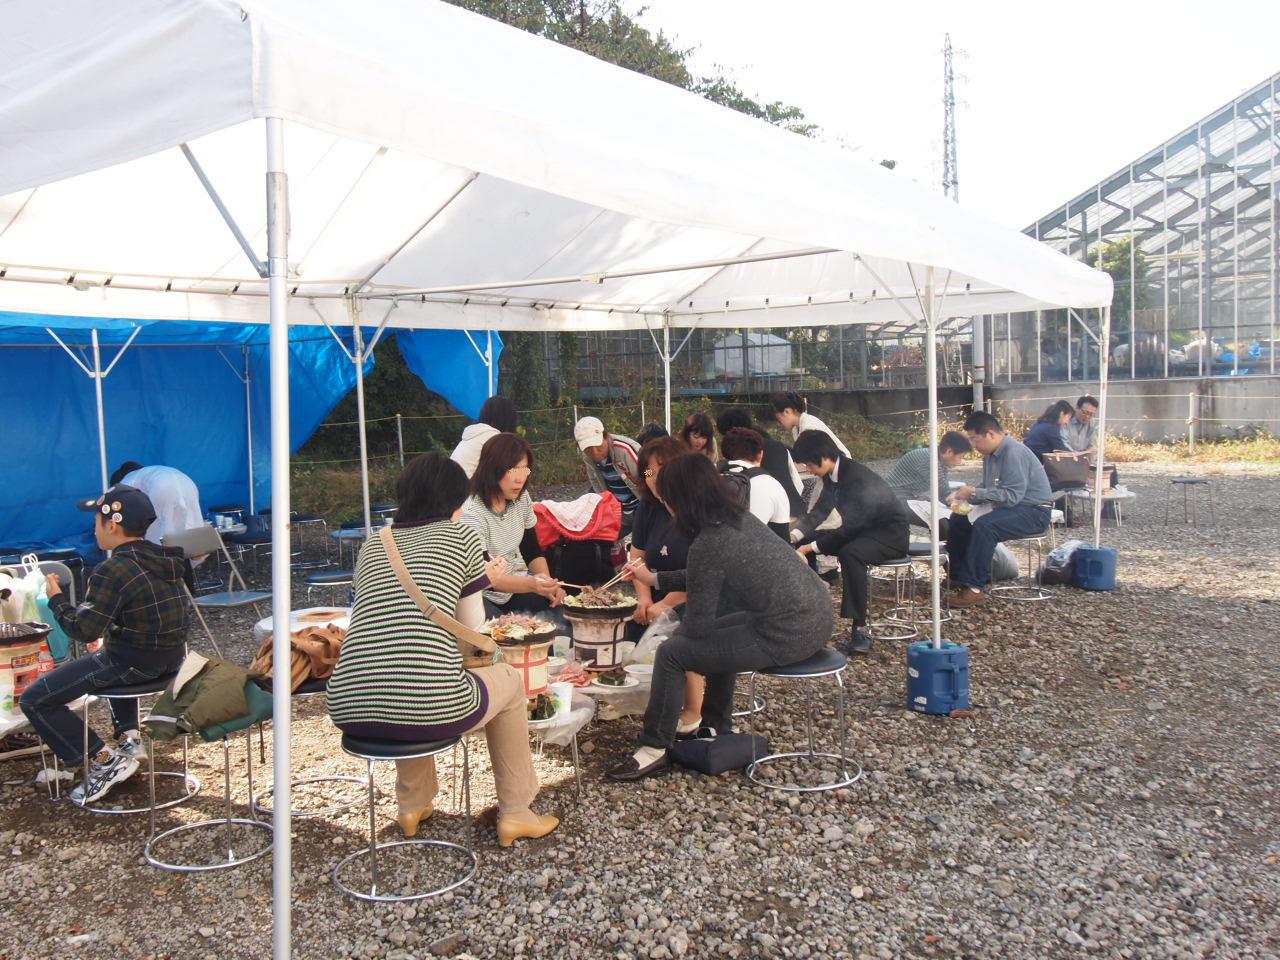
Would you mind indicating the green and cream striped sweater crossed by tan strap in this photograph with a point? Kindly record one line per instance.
(397, 666)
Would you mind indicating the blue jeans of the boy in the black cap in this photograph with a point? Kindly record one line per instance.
(45, 703)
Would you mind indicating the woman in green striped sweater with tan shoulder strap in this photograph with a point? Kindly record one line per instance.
(400, 675)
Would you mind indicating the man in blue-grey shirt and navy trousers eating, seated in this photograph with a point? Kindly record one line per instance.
(1013, 502)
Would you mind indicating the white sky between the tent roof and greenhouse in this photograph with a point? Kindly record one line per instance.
(1057, 97)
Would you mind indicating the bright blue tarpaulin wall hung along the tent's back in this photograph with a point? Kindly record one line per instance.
(172, 399)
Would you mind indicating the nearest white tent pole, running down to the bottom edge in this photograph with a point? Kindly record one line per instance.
(277, 259)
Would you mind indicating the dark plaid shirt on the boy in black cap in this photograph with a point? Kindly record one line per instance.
(135, 601)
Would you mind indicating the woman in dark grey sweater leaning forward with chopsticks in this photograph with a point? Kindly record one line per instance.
(752, 604)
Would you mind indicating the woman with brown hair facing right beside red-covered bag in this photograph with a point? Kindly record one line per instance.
(502, 513)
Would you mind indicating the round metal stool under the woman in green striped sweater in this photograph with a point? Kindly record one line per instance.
(383, 751)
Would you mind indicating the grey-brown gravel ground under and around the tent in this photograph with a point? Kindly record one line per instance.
(1113, 797)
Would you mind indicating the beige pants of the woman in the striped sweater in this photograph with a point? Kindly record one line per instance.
(506, 729)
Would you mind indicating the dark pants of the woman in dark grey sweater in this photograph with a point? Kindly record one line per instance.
(732, 650)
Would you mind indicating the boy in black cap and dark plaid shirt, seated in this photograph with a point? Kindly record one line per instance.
(136, 604)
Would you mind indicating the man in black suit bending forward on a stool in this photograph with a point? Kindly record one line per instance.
(874, 525)
